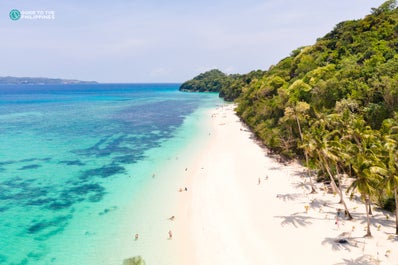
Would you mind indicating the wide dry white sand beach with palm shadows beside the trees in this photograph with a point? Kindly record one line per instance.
(243, 207)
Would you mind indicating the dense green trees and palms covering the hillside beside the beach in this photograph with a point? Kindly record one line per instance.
(334, 103)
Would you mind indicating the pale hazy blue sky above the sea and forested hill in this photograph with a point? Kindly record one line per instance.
(154, 41)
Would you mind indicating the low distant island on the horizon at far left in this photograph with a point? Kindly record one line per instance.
(10, 80)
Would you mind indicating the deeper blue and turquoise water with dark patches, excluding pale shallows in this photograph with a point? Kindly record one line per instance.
(61, 146)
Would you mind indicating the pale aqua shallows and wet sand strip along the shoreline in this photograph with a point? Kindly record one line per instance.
(147, 212)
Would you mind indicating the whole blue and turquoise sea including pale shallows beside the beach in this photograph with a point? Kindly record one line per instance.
(75, 161)
